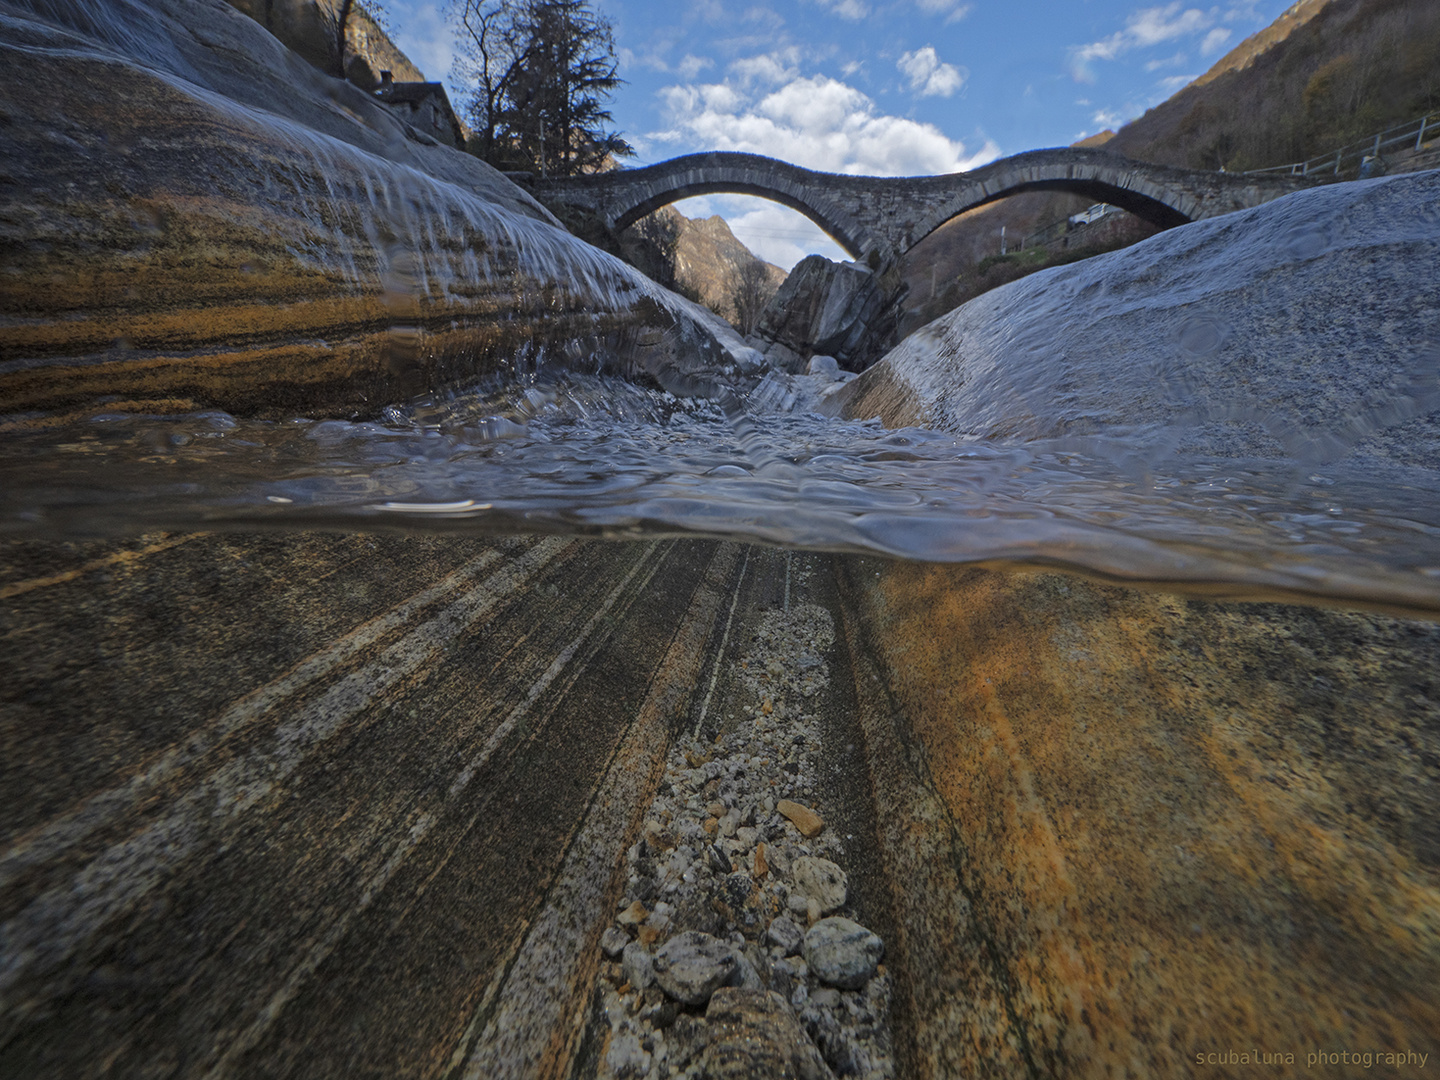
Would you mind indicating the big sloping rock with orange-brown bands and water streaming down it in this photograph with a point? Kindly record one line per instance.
(197, 217)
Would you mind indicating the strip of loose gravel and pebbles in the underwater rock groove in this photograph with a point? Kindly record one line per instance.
(732, 954)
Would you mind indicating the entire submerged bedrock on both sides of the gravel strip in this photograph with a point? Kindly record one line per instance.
(381, 823)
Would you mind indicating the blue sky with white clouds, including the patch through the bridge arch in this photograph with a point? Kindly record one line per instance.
(879, 87)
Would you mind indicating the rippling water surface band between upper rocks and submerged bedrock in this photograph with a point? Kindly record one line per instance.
(603, 456)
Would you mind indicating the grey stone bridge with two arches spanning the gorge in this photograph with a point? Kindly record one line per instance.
(879, 220)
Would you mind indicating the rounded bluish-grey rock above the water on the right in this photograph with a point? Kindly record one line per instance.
(1305, 330)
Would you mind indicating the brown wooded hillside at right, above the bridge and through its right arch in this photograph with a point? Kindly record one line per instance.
(1327, 73)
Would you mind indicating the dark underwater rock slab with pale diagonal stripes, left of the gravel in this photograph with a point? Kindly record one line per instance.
(372, 827)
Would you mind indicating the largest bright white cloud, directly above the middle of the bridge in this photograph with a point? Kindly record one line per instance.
(816, 122)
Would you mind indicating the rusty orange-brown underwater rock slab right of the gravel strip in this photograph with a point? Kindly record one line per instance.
(1124, 830)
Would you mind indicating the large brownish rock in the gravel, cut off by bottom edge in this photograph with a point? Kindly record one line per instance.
(755, 1035)
